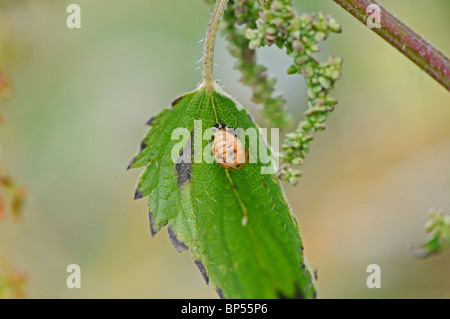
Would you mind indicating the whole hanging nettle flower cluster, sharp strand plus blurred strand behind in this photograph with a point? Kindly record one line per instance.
(252, 24)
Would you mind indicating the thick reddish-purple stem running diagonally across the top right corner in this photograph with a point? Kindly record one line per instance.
(399, 35)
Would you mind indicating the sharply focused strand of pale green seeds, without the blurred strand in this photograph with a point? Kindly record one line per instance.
(300, 35)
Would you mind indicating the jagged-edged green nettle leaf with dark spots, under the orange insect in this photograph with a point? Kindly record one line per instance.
(237, 224)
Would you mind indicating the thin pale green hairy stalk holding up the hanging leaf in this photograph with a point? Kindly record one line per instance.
(210, 41)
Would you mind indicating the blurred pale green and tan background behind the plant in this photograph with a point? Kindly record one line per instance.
(79, 103)
